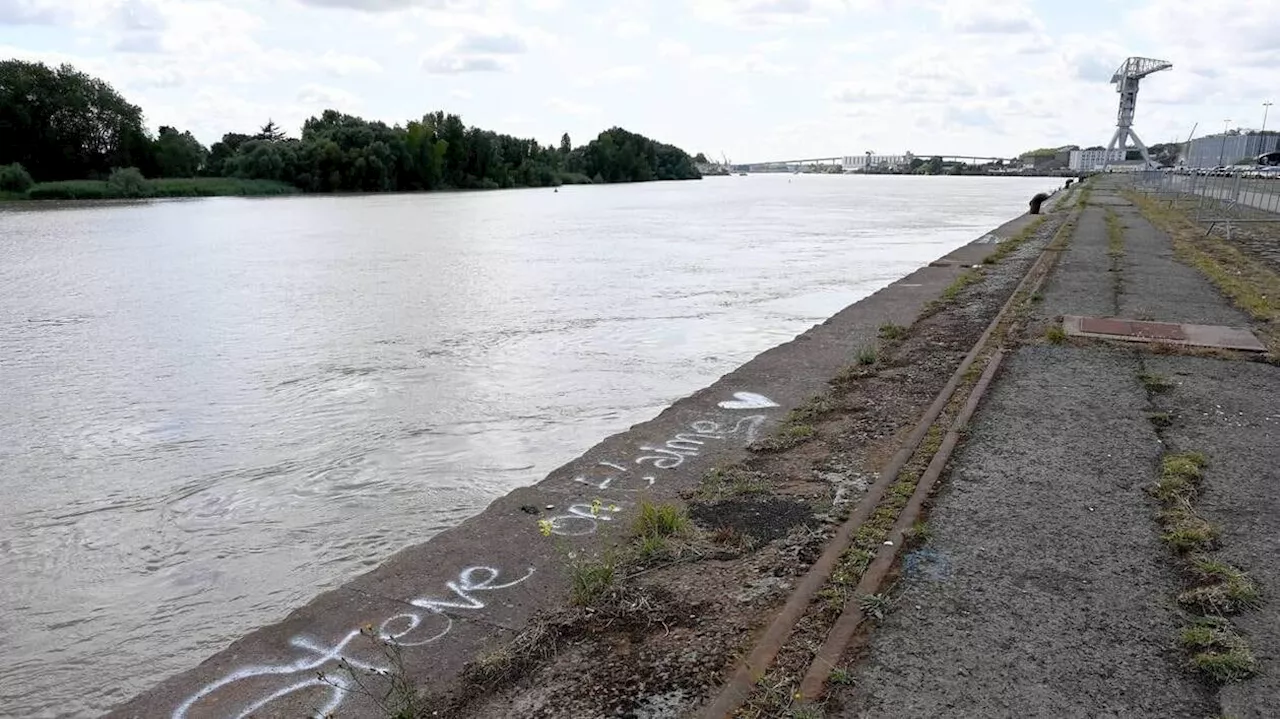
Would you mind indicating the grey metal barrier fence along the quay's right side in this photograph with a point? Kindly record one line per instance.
(1217, 199)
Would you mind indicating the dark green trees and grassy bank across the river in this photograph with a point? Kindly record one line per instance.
(68, 136)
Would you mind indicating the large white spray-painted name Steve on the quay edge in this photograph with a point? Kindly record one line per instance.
(307, 674)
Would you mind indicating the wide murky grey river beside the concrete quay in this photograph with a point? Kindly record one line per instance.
(214, 410)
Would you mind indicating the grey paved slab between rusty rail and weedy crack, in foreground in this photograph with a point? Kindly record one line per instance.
(1049, 593)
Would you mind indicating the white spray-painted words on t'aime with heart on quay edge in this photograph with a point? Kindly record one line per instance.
(639, 474)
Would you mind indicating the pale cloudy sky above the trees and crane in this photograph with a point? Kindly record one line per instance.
(748, 80)
